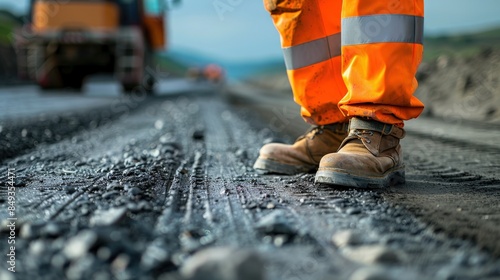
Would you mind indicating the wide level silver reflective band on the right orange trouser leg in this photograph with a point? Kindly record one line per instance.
(382, 29)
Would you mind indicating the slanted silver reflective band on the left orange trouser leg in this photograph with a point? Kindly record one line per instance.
(312, 52)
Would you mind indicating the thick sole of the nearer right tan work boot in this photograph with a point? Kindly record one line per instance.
(391, 178)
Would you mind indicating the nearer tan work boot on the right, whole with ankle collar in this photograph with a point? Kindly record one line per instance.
(369, 157)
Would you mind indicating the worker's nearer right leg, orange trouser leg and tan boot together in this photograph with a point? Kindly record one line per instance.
(381, 50)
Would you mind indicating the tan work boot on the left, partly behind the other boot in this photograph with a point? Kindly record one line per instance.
(304, 155)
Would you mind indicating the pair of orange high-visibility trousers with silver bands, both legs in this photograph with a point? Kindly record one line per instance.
(348, 58)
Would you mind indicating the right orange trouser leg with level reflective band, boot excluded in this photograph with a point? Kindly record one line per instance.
(381, 50)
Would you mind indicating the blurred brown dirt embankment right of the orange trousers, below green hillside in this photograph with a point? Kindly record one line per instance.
(462, 88)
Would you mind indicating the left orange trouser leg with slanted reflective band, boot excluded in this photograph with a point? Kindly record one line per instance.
(310, 38)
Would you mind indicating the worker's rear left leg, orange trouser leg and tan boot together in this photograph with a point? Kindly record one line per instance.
(310, 37)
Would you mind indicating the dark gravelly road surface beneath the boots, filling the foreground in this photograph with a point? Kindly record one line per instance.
(166, 191)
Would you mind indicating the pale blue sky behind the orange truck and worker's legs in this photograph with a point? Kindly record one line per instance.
(242, 30)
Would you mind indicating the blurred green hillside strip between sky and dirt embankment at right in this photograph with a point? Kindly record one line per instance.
(463, 45)
